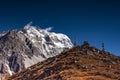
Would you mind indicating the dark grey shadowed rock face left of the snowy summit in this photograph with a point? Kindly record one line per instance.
(12, 45)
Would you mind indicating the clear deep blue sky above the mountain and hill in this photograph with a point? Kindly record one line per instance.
(92, 20)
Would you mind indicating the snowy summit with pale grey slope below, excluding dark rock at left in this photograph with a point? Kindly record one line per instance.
(43, 43)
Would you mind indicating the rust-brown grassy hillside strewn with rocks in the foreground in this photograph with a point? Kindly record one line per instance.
(79, 63)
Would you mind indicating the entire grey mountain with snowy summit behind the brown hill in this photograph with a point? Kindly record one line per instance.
(23, 48)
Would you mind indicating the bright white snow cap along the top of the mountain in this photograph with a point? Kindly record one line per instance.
(59, 40)
